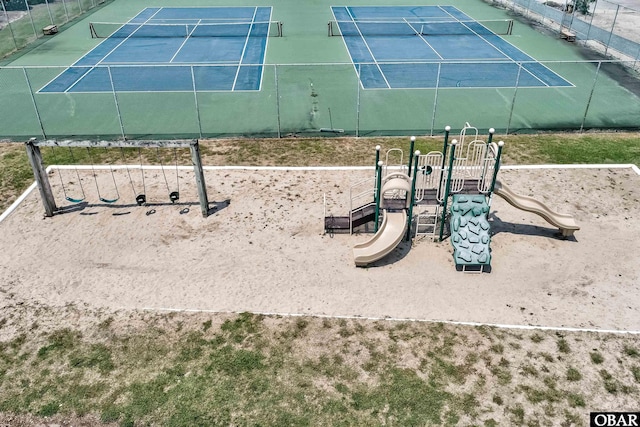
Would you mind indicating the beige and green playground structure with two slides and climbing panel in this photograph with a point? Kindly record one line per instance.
(452, 189)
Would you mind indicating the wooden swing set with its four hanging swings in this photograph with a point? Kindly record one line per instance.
(44, 186)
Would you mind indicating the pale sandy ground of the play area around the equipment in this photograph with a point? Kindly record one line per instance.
(264, 250)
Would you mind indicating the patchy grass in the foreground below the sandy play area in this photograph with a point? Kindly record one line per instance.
(183, 370)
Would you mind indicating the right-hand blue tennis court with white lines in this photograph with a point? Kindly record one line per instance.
(432, 46)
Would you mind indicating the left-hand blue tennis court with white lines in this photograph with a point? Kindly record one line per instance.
(174, 49)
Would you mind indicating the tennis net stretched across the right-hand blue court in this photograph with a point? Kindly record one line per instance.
(420, 28)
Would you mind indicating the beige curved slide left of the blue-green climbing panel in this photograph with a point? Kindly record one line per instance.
(389, 235)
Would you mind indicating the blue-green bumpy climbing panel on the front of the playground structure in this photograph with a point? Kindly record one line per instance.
(470, 231)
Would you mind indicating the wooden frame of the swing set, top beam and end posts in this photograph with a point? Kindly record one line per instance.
(42, 178)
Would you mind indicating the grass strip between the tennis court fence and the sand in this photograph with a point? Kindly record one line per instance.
(16, 175)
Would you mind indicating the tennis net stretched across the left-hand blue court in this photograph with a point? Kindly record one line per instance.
(231, 29)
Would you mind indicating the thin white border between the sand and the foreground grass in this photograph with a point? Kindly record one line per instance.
(403, 319)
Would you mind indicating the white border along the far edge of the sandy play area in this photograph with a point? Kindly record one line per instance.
(15, 204)
